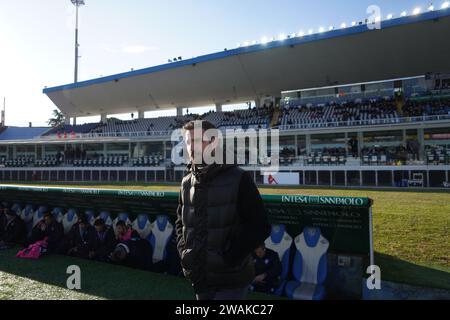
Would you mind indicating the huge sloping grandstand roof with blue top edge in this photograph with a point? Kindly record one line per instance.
(403, 47)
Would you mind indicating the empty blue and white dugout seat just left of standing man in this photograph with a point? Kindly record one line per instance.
(159, 238)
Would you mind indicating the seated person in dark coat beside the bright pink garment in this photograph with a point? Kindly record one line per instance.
(50, 228)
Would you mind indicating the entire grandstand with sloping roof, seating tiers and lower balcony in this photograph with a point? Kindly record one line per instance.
(356, 107)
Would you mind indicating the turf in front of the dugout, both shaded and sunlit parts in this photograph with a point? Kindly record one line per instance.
(45, 279)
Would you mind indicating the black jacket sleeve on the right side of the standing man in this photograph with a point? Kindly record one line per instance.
(255, 224)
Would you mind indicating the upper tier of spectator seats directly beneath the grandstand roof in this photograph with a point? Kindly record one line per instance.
(292, 115)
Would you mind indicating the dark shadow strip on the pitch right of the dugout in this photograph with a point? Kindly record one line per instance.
(400, 271)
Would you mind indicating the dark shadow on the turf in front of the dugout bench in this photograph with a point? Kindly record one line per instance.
(101, 279)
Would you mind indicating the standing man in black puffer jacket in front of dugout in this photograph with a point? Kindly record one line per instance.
(221, 219)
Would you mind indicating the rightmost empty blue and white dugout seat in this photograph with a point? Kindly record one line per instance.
(309, 267)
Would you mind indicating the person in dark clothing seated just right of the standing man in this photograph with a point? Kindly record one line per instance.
(267, 270)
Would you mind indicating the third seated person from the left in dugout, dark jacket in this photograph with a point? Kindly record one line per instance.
(80, 240)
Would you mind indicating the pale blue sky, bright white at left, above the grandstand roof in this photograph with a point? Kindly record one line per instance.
(37, 37)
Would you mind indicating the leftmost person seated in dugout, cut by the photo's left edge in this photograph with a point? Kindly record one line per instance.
(12, 229)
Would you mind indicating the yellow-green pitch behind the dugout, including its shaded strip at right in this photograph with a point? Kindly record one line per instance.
(411, 230)
